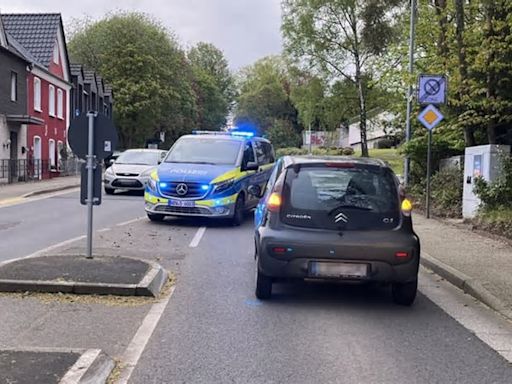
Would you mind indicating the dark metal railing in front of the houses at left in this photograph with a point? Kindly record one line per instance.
(13, 171)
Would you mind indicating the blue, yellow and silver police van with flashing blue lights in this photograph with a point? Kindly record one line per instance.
(208, 174)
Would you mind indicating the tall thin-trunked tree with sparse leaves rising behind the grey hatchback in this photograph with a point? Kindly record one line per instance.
(340, 37)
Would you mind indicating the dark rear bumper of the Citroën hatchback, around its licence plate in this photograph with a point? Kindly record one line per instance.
(307, 248)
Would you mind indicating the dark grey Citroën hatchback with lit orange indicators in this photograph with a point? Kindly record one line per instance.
(335, 218)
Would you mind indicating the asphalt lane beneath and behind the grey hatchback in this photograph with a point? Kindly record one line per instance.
(214, 331)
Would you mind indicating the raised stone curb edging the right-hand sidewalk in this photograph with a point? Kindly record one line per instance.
(466, 283)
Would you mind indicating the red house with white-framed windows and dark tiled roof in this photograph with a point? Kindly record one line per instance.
(48, 85)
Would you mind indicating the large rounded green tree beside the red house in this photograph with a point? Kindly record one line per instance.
(148, 72)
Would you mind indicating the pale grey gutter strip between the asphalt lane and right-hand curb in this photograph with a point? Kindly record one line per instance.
(487, 325)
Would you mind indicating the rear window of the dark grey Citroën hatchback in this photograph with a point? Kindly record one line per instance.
(352, 198)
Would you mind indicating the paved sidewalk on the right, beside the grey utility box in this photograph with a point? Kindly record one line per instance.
(479, 265)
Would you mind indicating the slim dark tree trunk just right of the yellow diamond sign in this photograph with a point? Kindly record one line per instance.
(469, 136)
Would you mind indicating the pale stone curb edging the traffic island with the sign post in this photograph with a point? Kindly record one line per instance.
(150, 285)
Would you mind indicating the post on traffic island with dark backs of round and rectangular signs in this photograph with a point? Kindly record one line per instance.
(92, 137)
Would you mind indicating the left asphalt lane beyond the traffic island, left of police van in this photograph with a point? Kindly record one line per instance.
(29, 227)
